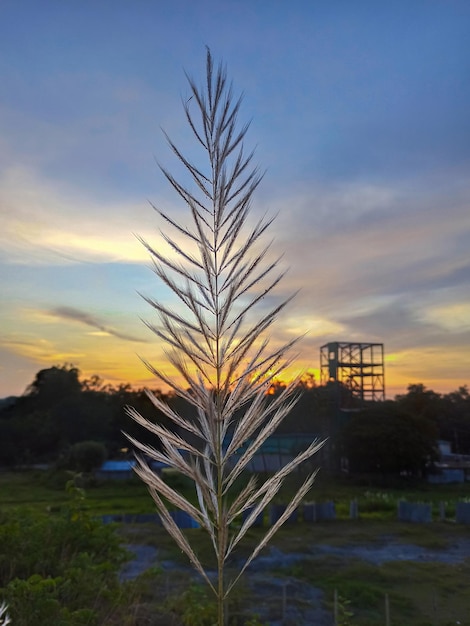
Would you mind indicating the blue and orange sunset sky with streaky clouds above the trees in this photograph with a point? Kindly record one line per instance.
(360, 116)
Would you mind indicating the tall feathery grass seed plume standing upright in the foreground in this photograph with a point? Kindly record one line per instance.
(218, 346)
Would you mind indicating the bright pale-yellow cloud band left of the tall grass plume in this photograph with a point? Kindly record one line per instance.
(50, 223)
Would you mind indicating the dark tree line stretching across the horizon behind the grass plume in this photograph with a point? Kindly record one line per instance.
(60, 409)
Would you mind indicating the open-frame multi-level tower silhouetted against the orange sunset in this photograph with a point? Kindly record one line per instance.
(357, 369)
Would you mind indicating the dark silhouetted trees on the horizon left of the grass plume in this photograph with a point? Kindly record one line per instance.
(59, 410)
